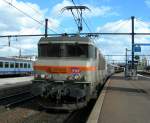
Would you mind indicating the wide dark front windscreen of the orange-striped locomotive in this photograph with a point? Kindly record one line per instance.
(67, 50)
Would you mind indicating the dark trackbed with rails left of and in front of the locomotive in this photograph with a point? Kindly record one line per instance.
(29, 111)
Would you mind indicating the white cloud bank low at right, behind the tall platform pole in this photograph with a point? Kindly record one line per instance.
(116, 44)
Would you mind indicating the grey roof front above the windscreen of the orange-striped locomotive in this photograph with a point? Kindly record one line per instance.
(65, 38)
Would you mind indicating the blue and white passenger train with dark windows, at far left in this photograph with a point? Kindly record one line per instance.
(15, 66)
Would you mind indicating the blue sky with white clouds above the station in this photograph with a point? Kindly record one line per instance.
(28, 16)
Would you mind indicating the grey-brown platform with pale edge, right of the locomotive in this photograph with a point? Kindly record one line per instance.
(123, 101)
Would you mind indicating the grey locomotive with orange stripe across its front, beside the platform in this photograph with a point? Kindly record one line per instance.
(68, 72)
